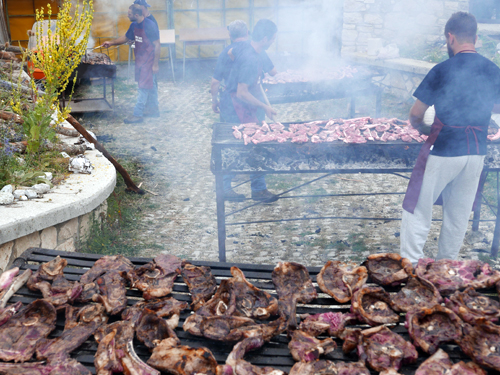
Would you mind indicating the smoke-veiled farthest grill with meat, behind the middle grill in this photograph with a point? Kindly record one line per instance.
(360, 84)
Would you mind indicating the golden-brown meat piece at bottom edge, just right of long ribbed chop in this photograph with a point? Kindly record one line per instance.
(177, 359)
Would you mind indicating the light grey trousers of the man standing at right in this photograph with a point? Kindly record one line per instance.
(457, 178)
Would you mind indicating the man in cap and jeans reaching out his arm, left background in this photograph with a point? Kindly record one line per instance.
(146, 36)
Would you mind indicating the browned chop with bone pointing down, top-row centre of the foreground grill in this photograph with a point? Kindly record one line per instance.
(293, 286)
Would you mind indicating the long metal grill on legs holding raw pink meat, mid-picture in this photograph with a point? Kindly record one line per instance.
(232, 156)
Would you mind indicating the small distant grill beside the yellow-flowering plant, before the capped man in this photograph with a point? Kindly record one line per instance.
(95, 65)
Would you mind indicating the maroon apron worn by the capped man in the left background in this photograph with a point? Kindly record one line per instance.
(144, 59)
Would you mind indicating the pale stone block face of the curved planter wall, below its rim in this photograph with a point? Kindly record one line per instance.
(64, 236)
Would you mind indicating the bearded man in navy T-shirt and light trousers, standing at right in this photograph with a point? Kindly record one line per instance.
(464, 90)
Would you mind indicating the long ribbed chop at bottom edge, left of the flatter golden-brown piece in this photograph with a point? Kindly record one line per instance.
(115, 352)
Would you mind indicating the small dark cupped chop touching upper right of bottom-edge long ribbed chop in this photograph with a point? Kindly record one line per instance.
(152, 329)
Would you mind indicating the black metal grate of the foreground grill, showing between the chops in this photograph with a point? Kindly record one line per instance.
(275, 353)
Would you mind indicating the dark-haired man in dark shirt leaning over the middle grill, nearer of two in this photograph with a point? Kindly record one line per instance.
(243, 99)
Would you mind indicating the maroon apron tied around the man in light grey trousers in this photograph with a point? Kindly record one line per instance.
(417, 176)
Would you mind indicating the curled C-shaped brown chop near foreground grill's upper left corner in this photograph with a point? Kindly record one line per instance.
(50, 281)
